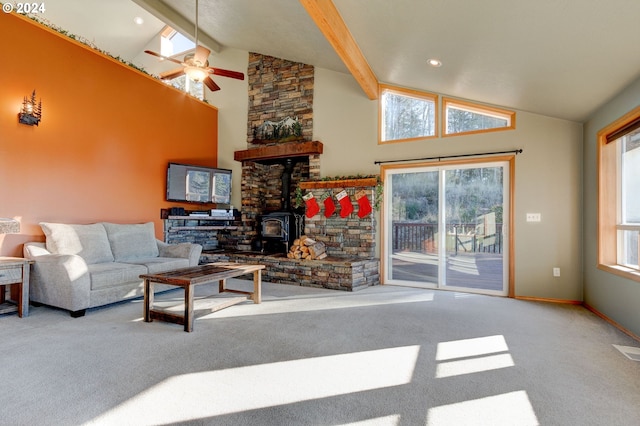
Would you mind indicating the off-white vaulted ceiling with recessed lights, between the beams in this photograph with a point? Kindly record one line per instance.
(561, 58)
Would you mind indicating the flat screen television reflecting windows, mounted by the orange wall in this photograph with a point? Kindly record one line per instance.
(198, 184)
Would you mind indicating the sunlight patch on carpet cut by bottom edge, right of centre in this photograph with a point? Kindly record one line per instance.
(513, 408)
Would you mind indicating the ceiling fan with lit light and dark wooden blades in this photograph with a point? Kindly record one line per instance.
(196, 66)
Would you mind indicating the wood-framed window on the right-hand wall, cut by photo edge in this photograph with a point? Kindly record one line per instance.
(618, 203)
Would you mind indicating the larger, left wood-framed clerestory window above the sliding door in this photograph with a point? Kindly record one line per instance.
(406, 115)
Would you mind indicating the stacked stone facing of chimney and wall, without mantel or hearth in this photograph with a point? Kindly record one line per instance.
(278, 89)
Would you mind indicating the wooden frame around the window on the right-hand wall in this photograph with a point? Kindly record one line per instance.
(609, 198)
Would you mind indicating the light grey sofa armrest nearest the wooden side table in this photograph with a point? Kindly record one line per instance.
(60, 280)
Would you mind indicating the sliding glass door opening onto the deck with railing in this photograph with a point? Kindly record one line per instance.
(445, 226)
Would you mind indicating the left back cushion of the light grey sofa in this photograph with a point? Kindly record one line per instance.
(87, 241)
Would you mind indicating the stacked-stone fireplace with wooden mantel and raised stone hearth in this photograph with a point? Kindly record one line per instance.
(273, 171)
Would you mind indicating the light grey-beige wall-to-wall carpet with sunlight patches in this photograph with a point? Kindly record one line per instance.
(382, 356)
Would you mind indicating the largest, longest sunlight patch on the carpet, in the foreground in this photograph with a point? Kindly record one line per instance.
(208, 394)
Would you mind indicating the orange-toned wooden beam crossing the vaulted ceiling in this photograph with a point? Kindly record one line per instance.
(331, 24)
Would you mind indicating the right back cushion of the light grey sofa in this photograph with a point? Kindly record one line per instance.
(132, 241)
